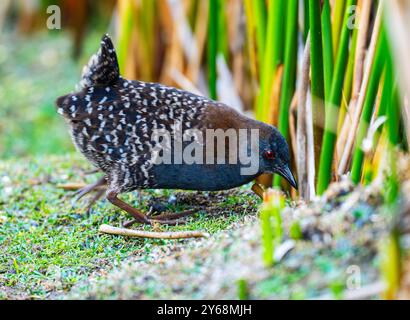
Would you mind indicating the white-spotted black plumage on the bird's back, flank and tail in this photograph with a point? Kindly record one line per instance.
(119, 117)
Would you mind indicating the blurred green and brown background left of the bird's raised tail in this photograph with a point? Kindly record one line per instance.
(36, 66)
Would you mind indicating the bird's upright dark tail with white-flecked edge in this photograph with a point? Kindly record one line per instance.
(102, 69)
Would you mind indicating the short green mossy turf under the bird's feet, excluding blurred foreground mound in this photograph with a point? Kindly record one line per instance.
(44, 238)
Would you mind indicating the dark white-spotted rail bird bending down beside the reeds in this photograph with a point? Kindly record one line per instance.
(119, 125)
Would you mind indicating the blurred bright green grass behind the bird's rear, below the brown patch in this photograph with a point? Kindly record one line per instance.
(33, 72)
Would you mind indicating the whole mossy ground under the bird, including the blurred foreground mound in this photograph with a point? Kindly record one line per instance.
(52, 249)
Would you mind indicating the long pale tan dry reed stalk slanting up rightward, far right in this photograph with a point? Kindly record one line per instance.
(351, 134)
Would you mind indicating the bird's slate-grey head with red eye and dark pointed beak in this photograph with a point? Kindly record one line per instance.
(274, 155)
